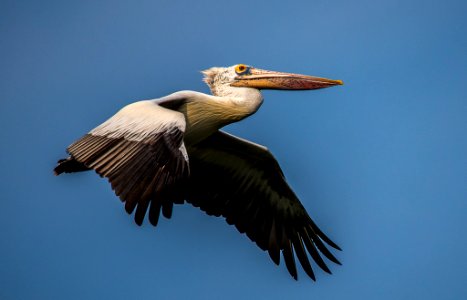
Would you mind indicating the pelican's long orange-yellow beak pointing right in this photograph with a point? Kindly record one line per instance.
(263, 79)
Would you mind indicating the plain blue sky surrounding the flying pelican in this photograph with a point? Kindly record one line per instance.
(380, 163)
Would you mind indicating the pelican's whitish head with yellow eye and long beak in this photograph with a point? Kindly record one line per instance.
(221, 80)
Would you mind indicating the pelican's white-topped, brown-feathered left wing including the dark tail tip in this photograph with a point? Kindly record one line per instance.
(141, 152)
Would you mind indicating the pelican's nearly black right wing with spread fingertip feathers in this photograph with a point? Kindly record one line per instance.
(243, 182)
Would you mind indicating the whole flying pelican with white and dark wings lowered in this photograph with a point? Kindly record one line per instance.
(170, 150)
